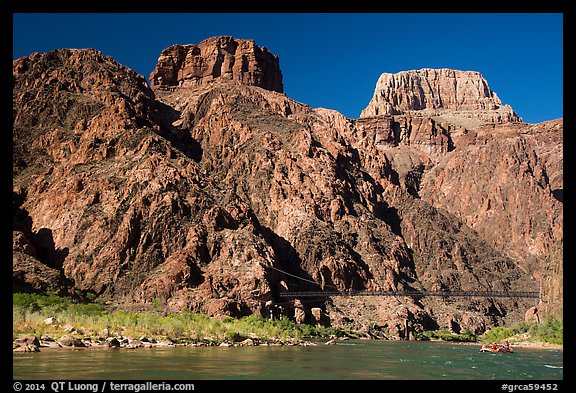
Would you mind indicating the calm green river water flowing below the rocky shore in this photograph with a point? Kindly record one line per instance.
(354, 359)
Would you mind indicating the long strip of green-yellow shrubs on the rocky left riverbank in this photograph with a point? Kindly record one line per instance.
(54, 317)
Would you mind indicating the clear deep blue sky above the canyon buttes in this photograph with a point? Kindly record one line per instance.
(333, 60)
